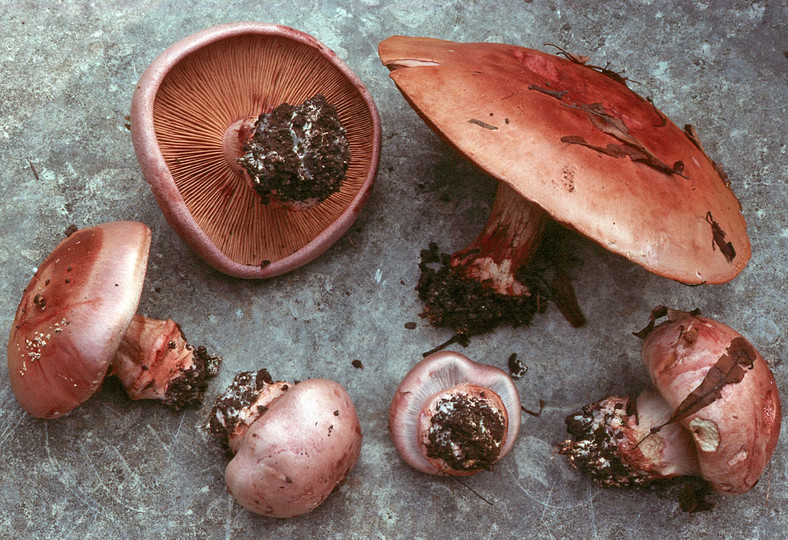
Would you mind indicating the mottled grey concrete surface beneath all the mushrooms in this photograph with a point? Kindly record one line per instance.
(121, 469)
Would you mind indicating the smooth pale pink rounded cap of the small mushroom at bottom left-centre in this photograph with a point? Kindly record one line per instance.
(297, 452)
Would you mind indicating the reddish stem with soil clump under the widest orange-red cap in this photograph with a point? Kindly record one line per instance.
(486, 284)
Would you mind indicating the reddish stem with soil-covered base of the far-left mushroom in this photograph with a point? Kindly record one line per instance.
(154, 361)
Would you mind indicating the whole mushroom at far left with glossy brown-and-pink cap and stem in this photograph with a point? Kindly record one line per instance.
(77, 320)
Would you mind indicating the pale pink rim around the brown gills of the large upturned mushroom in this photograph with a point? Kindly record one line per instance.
(163, 185)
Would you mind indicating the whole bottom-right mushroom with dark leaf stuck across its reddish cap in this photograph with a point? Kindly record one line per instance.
(713, 411)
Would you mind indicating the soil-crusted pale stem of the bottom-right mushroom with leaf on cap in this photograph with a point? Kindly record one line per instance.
(615, 447)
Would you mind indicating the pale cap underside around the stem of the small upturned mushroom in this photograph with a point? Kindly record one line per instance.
(436, 374)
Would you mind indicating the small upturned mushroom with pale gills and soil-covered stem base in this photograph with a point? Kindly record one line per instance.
(453, 416)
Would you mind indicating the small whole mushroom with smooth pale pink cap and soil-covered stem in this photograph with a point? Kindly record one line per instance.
(292, 444)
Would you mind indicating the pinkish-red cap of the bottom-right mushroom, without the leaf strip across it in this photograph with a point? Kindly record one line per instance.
(736, 434)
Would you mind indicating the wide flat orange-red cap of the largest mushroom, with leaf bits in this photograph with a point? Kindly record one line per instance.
(577, 142)
